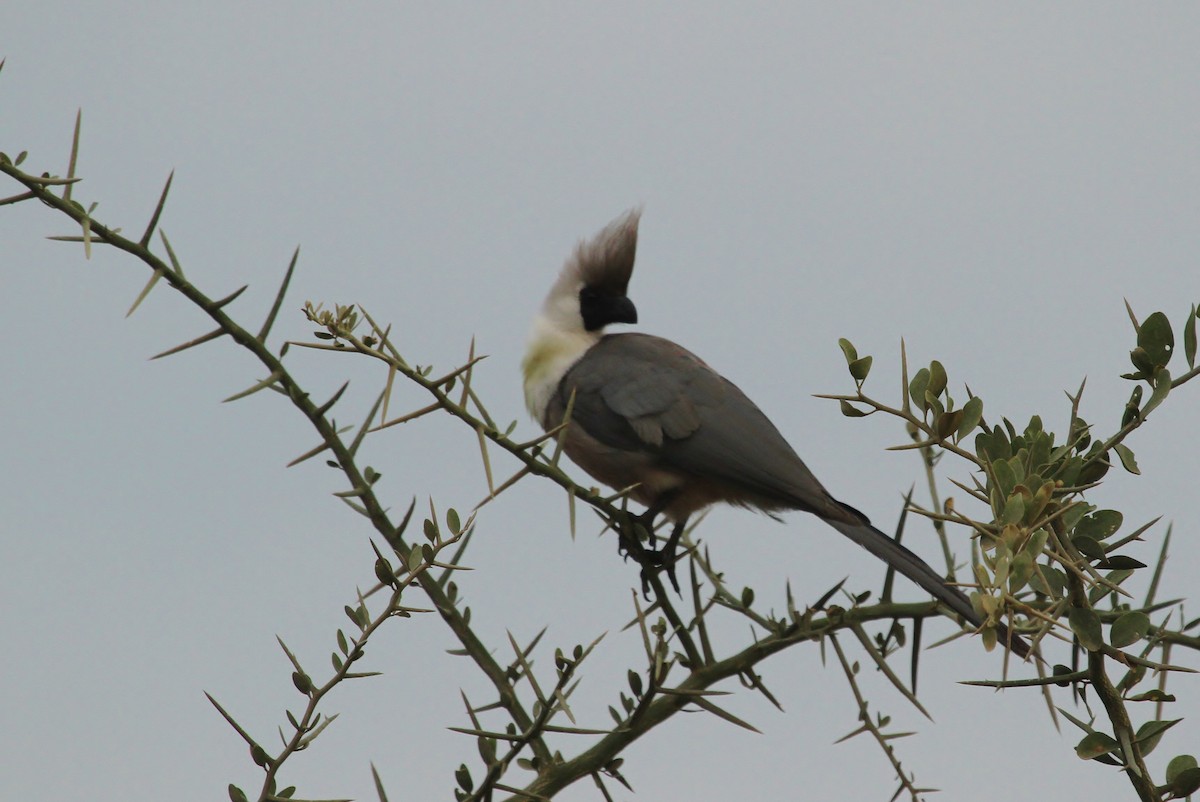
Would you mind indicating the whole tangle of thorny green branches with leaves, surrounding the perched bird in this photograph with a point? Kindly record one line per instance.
(1049, 558)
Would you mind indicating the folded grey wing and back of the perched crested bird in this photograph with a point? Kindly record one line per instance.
(638, 392)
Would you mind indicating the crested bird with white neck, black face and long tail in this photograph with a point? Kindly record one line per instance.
(650, 417)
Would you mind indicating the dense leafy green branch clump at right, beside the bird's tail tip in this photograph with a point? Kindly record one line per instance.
(1051, 556)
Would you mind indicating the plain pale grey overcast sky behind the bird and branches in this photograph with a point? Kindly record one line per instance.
(987, 182)
